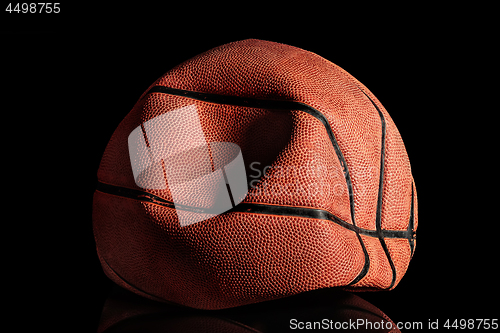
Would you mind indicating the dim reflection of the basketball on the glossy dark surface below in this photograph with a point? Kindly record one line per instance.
(331, 309)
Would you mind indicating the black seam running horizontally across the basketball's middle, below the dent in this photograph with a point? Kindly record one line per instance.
(253, 208)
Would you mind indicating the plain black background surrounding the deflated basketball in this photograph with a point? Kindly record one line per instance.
(70, 80)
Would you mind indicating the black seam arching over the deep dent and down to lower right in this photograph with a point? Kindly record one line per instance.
(279, 104)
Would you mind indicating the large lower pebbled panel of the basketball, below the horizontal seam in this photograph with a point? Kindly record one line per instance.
(229, 260)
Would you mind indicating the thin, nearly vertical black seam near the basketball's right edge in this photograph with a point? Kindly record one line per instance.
(378, 221)
